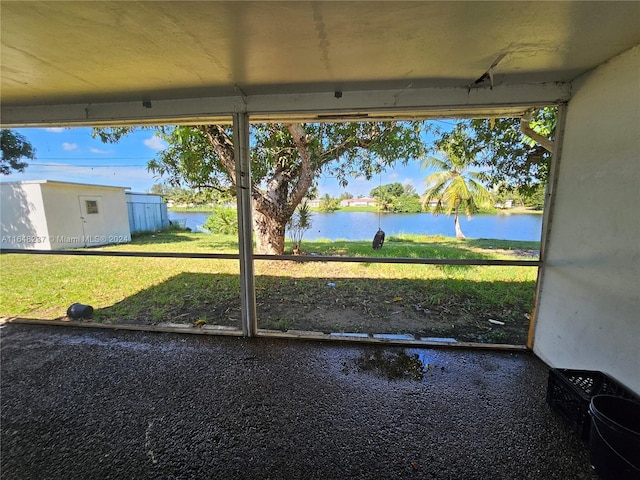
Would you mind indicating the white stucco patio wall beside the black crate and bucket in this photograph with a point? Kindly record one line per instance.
(588, 314)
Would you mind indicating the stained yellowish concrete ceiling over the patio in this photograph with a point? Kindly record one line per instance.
(109, 53)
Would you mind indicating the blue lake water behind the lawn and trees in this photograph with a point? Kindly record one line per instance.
(364, 225)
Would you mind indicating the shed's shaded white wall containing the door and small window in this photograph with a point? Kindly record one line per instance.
(64, 218)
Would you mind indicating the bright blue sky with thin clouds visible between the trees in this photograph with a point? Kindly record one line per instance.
(72, 155)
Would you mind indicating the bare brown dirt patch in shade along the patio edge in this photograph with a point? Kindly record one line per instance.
(366, 313)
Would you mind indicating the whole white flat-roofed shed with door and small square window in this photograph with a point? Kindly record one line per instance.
(50, 215)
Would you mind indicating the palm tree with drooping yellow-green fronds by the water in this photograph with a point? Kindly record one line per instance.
(454, 187)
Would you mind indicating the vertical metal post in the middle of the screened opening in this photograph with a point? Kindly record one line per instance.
(245, 227)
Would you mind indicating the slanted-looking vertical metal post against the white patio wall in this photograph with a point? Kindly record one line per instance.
(547, 217)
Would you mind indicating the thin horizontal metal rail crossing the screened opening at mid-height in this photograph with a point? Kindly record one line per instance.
(291, 258)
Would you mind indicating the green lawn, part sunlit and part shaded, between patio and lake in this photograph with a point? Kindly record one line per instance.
(432, 300)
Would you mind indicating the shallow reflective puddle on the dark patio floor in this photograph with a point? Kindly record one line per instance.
(394, 365)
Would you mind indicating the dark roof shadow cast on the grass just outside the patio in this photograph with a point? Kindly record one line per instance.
(443, 307)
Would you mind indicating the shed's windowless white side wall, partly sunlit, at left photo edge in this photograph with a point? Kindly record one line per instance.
(22, 218)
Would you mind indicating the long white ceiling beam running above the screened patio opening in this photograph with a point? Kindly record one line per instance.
(505, 100)
